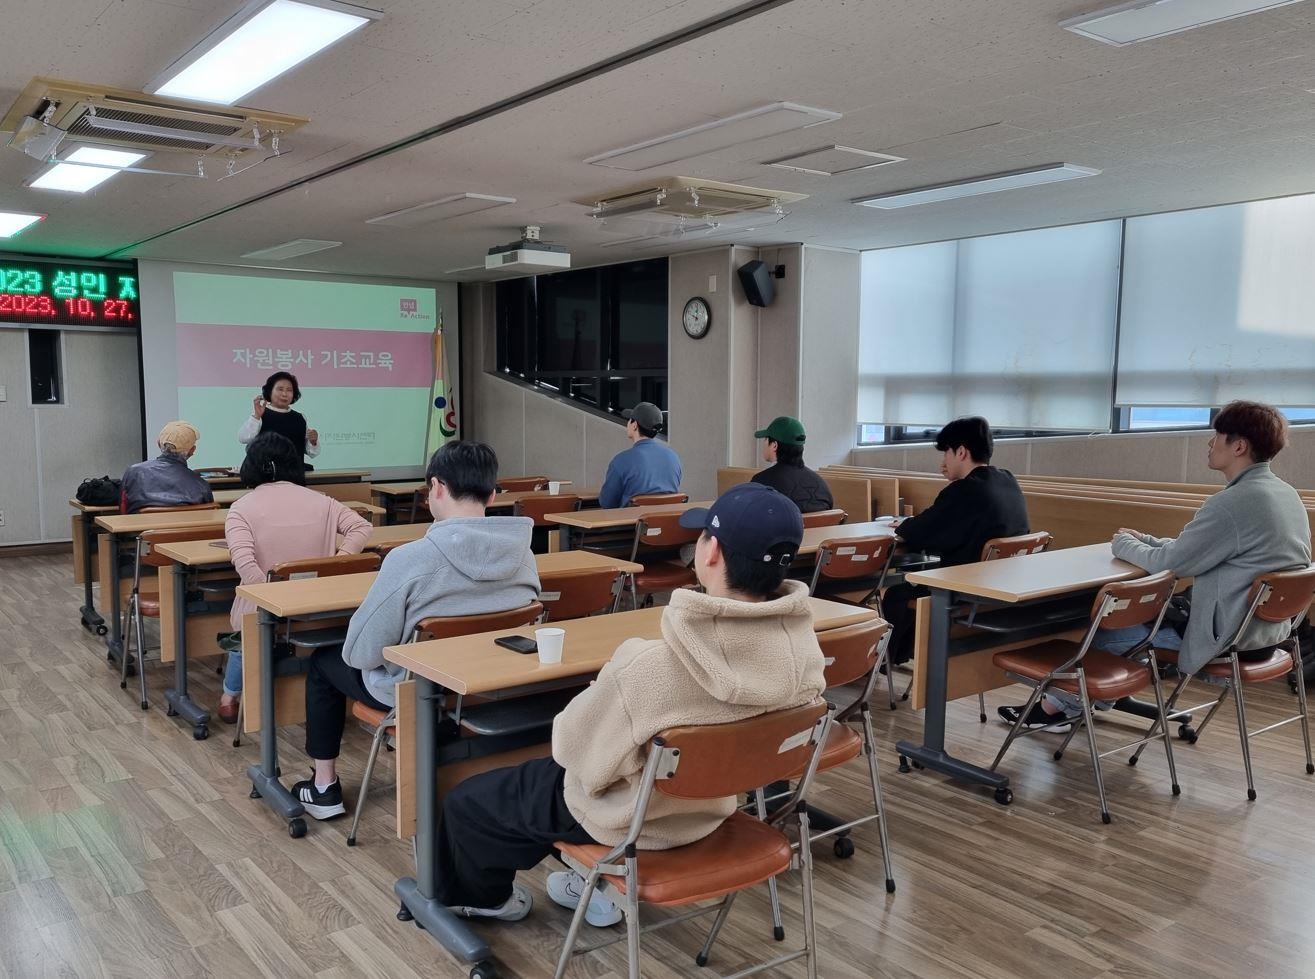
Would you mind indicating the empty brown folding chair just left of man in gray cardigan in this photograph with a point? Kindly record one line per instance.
(1079, 668)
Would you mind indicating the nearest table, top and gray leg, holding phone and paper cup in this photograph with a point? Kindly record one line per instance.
(471, 665)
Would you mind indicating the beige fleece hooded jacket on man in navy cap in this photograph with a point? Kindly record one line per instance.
(719, 661)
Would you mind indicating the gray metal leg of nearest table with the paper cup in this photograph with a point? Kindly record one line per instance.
(418, 894)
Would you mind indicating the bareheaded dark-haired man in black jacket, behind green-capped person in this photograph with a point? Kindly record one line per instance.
(980, 503)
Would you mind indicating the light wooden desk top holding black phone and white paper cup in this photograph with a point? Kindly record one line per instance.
(475, 665)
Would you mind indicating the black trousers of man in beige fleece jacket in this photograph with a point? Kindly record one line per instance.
(499, 823)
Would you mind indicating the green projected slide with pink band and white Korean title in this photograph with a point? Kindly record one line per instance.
(365, 359)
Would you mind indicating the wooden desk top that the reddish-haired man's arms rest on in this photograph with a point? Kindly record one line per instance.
(1032, 577)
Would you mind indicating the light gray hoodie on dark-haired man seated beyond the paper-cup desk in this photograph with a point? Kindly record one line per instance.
(461, 568)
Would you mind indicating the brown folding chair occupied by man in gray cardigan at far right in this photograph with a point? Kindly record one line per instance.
(1281, 597)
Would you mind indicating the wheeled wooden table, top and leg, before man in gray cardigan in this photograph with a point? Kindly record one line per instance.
(1021, 581)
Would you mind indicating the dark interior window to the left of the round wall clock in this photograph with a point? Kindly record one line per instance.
(596, 336)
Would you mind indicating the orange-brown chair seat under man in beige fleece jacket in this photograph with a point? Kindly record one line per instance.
(741, 853)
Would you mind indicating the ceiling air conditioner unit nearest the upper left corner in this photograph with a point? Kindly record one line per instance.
(49, 111)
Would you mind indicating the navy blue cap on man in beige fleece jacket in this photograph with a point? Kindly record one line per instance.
(752, 520)
